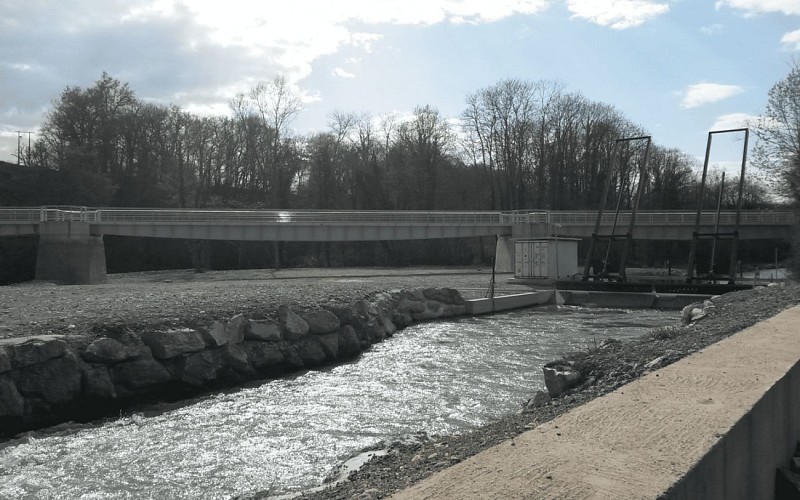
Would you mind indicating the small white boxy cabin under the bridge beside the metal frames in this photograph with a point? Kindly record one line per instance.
(550, 258)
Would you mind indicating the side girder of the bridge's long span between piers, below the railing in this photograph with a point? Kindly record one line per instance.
(299, 232)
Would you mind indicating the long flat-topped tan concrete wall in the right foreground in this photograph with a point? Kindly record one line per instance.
(716, 424)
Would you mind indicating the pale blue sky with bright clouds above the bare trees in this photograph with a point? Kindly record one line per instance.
(677, 68)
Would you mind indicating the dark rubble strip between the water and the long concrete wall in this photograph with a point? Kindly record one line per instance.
(601, 369)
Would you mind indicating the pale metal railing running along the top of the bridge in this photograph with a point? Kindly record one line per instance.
(21, 215)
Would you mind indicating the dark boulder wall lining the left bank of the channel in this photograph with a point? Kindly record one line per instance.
(46, 379)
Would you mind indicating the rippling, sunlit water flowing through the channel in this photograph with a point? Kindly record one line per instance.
(286, 435)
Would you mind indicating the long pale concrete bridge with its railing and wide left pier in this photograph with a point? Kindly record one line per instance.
(71, 245)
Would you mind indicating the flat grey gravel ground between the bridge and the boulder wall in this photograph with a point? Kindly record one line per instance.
(187, 298)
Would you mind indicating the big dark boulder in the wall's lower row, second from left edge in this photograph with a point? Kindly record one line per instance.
(58, 381)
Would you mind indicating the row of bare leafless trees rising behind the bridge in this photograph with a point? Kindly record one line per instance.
(517, 145)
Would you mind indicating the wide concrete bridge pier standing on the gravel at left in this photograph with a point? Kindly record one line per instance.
(70, 254)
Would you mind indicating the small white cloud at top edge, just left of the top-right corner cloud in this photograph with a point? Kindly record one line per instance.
(617, 14)
